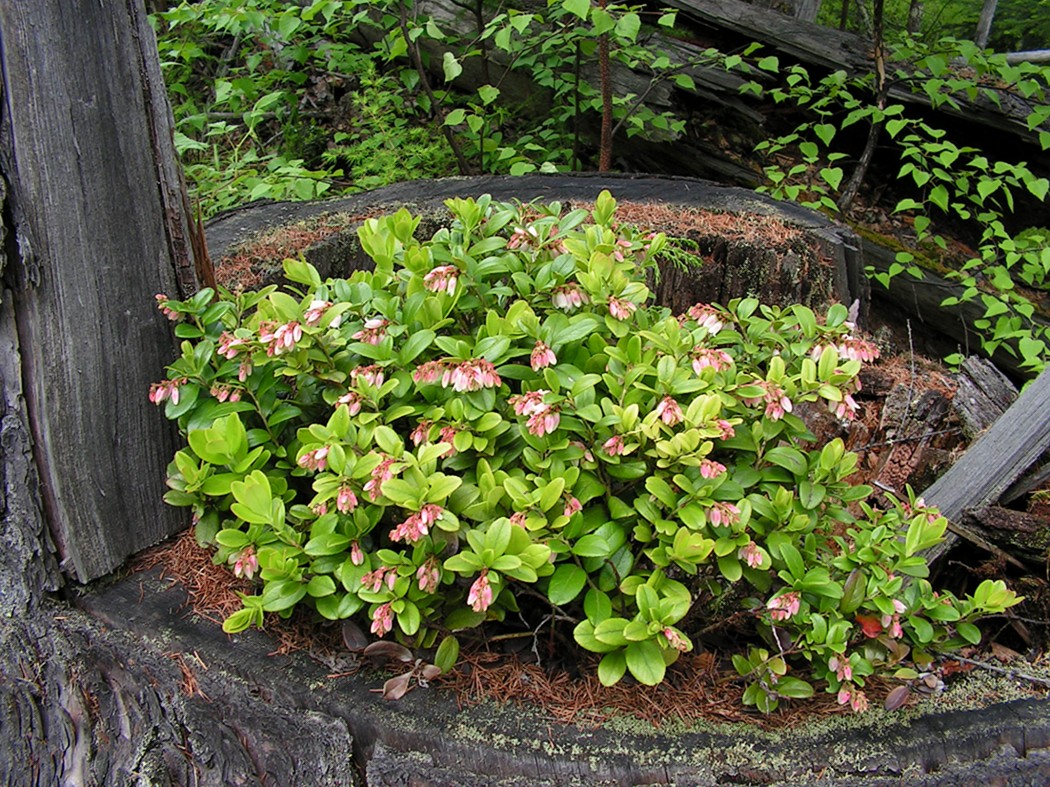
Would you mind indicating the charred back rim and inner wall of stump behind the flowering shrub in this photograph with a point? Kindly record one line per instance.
(821, 266)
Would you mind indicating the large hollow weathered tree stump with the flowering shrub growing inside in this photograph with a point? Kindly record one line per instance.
(124, 686)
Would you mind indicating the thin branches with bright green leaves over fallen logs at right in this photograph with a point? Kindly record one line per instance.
(951, 183)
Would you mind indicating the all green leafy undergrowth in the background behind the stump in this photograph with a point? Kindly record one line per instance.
(296, 101)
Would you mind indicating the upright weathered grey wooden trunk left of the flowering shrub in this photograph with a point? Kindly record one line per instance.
(89, 156)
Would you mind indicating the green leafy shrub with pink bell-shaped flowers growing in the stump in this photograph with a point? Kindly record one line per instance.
(498, 427)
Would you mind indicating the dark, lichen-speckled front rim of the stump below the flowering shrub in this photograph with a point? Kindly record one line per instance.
(426, 739)
